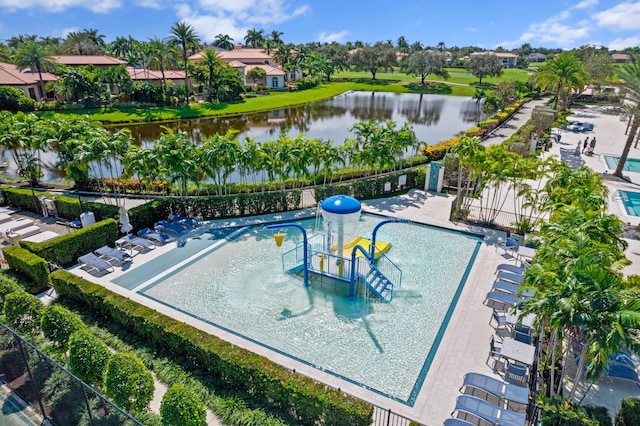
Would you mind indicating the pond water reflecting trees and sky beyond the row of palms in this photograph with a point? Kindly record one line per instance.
(434, 117)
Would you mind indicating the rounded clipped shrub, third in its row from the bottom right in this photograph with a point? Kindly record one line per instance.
(88, 356)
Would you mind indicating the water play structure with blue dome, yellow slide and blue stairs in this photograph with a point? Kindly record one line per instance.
(327, 254)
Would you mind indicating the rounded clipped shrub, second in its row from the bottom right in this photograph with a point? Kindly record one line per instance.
(128, 382)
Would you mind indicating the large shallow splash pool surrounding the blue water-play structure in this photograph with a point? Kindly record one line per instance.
(385, 347)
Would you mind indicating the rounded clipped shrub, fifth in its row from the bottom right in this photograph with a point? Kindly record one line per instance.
(23, 312)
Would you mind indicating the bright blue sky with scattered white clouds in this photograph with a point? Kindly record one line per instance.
(488, 24)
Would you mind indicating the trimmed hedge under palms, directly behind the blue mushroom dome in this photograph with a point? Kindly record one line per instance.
(374, 186)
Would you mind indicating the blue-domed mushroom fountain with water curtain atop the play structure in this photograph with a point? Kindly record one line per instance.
(341, 215)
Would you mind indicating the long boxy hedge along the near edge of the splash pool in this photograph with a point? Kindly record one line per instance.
(269, 383)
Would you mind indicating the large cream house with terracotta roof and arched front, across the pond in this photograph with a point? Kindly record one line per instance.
(245, 59)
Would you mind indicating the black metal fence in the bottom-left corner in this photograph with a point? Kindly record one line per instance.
(54, 393)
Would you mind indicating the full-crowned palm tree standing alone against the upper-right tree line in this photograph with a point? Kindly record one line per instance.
(564, 72)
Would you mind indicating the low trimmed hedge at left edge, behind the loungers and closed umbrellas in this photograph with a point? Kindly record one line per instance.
(68, 207)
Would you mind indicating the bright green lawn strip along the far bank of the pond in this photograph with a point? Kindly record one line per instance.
(458, 85)
